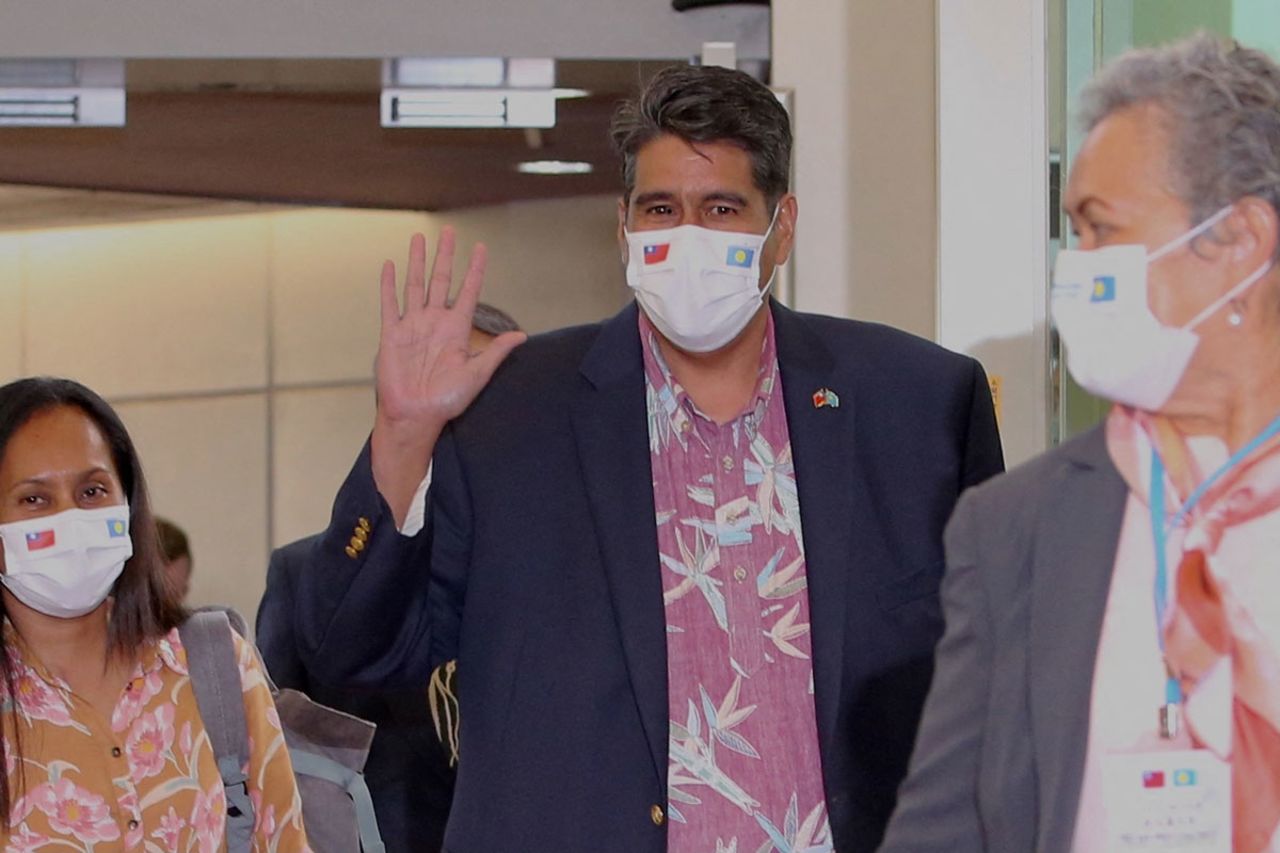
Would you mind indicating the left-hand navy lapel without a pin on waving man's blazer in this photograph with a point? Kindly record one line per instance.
(611, 430)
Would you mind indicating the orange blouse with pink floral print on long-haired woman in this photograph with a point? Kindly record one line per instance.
(147, 779)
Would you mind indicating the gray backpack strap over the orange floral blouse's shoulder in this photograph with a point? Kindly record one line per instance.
(216, 681)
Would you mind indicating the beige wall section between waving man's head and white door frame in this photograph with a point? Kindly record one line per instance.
(863, 76)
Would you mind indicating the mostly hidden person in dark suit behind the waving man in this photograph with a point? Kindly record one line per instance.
(409, 772)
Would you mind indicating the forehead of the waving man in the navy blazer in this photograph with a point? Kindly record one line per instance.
(669, 163)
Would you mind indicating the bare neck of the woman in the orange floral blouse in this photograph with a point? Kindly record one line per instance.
(67, 647)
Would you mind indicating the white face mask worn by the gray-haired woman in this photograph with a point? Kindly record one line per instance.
(1116, 346)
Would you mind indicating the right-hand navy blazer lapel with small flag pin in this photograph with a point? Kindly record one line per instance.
(822, 448)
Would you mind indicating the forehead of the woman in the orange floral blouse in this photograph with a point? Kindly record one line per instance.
(56, 441)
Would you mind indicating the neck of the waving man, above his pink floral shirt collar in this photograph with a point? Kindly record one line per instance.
(721, 384)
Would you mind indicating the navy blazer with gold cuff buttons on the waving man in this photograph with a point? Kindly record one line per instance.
(538, 569)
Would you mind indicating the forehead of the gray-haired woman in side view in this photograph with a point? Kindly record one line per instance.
(1123, 162)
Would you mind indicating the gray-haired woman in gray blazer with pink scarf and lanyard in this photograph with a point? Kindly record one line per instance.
(1110, 673)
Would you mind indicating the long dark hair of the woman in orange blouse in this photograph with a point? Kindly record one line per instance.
(145, 606)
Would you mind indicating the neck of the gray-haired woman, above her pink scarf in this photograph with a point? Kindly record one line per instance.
(1235, 403)
